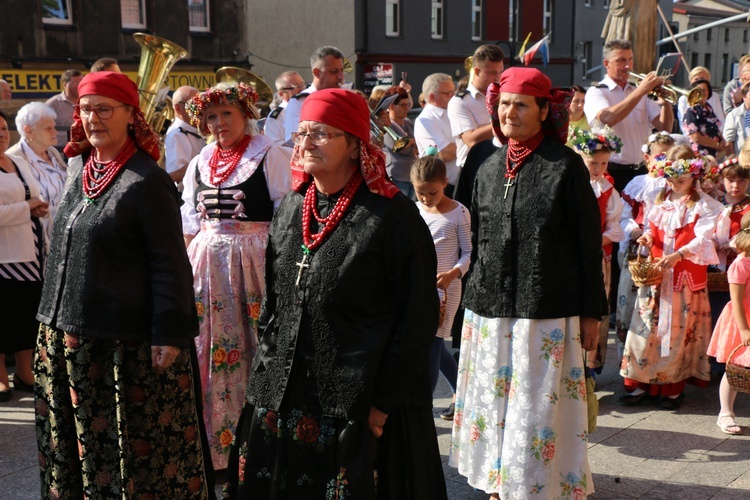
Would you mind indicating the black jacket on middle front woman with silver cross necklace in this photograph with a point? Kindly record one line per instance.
(363, 319)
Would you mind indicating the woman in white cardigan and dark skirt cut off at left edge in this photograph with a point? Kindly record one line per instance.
(21, 263)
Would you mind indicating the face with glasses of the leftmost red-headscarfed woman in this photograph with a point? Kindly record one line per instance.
(105, 122)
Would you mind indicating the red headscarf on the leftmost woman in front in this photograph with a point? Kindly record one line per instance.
(121, 88)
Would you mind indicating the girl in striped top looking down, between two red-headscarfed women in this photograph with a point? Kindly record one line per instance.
(450, 227)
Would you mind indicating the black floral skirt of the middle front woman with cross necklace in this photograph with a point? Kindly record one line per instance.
(297, 452)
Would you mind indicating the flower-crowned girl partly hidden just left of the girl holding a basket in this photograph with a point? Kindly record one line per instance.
(637, 197)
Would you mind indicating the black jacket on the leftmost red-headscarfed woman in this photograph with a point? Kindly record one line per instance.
(118, 267)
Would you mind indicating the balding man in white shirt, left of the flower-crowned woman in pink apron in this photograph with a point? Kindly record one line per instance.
(182, 141)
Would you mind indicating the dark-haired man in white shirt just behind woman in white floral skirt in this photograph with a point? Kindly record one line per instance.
(467, 111)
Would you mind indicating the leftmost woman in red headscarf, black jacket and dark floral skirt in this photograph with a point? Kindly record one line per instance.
(116, 408)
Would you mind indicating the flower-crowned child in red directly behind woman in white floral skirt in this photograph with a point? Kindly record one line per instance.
(595, 148)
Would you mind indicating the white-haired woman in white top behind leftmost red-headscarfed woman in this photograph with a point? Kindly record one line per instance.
(35, 123)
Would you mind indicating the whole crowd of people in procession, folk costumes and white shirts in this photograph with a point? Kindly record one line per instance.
(271, 307)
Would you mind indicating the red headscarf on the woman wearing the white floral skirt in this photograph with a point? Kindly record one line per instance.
(532, 82)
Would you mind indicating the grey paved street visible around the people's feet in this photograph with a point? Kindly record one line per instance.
(641, 452)
